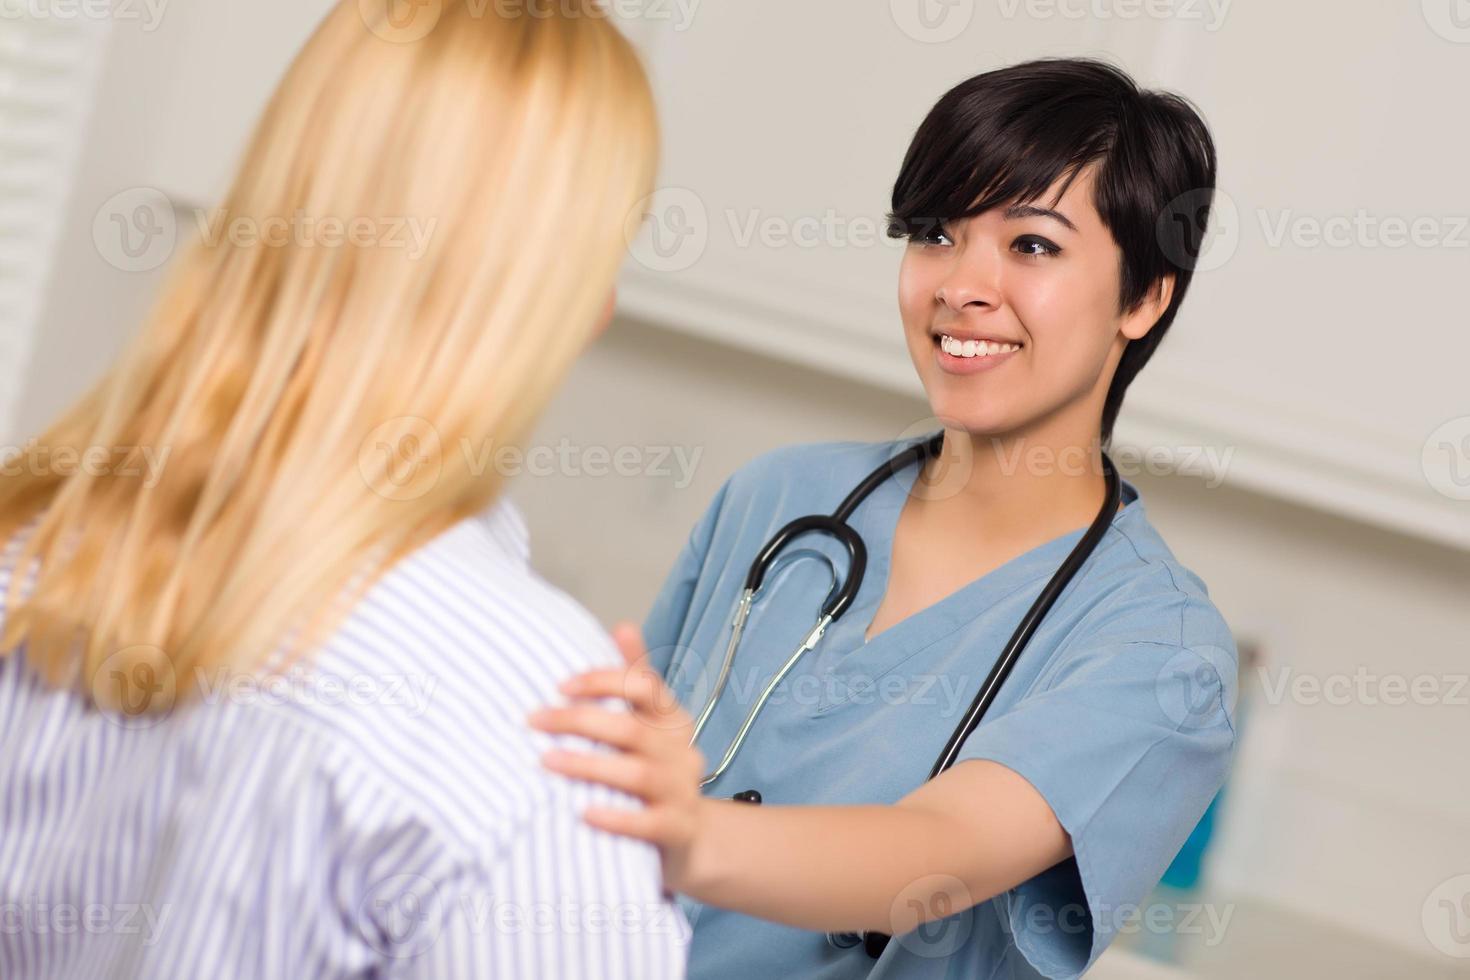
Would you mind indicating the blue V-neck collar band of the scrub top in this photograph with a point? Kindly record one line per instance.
(849, 657)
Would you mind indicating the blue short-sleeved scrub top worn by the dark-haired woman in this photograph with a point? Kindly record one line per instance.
(1119, 713)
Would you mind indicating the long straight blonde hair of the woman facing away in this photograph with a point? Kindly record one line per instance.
(321, 406)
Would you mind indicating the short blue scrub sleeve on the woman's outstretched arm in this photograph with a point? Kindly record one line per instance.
(1128, 743)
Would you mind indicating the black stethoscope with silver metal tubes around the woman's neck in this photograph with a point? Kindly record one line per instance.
(842, 599)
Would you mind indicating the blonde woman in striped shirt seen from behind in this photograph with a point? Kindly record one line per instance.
(265, 716)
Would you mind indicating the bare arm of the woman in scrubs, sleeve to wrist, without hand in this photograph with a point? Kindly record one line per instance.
(971, 834)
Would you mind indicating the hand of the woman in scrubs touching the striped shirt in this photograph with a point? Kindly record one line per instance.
(652, 760)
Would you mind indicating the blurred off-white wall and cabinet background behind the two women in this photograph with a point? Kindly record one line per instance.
(1302, 439)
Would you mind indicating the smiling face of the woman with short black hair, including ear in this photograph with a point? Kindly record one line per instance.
(1012, 317)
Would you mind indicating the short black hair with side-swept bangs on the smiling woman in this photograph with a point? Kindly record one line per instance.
(1009, 134)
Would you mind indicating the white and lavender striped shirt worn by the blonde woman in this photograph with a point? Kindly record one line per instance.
(381, 812)
